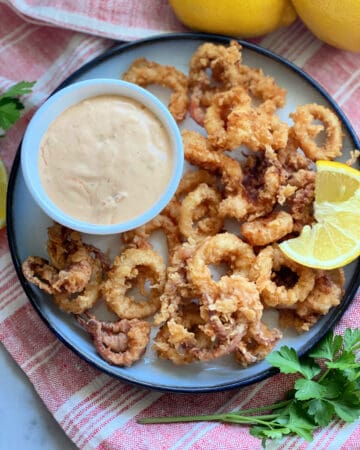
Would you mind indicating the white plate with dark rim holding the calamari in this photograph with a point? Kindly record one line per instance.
(27, 224)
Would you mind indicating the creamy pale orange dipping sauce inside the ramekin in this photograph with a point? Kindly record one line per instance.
(105, 160)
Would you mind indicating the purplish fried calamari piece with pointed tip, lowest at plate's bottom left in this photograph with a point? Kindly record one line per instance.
(119, 343)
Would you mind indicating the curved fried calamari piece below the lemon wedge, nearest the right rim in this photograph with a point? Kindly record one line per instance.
(327, 293)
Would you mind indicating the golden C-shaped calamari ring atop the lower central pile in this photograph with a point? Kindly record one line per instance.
(223, 247)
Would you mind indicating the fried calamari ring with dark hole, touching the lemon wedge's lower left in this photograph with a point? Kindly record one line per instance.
(278, 289)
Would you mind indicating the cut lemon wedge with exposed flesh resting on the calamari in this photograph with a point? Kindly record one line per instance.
(334, 240)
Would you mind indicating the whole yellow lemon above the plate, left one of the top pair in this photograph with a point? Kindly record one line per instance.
(241, 18)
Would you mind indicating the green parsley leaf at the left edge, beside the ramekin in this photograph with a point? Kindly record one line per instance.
(11, 106)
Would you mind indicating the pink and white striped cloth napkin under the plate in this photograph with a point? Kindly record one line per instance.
(95, 410)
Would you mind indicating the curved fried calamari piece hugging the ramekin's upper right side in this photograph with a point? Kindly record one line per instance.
(144, 72)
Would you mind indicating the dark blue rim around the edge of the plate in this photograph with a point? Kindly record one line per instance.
(333, 317)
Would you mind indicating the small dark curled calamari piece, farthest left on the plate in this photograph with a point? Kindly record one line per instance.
(38, 271)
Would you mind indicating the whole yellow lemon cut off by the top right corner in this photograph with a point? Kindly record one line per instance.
(336, 22)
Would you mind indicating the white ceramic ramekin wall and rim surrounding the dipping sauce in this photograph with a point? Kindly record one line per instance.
(69, 96)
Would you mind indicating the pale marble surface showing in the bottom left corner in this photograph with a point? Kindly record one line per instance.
(25, 421)
